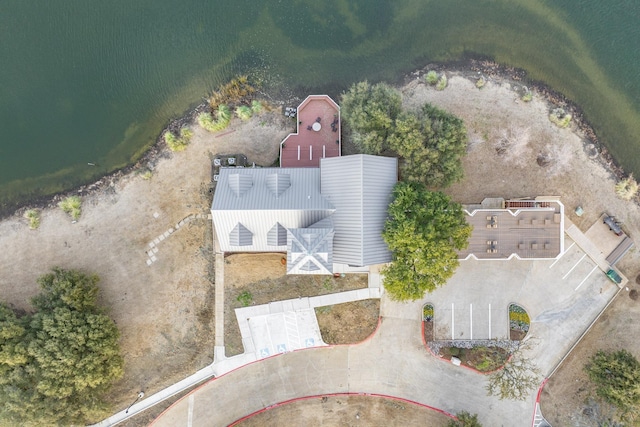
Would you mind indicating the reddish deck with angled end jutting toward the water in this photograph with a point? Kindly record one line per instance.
(317, 135)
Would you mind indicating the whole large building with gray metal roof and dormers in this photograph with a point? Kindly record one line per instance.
(319, 216)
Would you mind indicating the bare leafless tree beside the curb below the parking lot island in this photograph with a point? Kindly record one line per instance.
(516, 379)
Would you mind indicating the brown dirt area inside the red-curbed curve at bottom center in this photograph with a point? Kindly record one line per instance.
(366, 411)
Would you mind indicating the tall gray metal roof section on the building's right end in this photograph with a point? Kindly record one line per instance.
(360, 188)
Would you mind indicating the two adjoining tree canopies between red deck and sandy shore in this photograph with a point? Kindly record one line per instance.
(430, 142)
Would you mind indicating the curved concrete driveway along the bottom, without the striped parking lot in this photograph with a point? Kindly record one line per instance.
(394, 362)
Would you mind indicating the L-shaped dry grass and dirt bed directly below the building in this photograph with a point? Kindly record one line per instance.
(265, 279)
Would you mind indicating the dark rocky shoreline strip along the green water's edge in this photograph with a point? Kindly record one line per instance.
(470, 68)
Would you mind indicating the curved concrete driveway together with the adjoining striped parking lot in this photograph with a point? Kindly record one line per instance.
(562, 297)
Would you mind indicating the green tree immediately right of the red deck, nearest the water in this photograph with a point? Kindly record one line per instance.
(369, 113)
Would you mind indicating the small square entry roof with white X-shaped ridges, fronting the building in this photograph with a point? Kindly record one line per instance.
(310, 251)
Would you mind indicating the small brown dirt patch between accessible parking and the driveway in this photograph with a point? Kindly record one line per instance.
(348, 323)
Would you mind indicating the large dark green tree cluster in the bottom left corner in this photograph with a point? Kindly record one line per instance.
(56, 363)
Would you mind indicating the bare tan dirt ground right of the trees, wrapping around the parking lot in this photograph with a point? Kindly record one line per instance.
(578, 177)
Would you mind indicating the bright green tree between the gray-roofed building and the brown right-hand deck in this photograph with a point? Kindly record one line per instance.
(424, 230)
